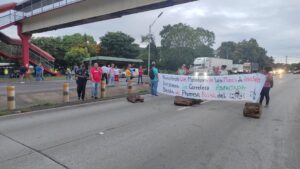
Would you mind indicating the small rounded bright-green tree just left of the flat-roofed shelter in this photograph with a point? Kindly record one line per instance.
(76, 55)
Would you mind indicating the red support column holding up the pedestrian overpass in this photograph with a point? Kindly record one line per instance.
(25, 38)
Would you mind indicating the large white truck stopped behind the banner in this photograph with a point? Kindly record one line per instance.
(205, 65)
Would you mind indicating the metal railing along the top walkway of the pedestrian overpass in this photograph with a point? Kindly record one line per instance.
(33, 9)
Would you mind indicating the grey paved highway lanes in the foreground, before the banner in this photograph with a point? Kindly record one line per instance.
(157, 135)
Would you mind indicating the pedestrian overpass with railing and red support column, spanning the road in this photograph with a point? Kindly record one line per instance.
(34, 16)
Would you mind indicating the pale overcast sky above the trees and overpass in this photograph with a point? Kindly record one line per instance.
(273, 23)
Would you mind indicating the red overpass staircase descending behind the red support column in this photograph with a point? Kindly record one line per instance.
(12, 49)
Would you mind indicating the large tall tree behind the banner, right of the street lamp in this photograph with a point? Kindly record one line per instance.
(181, 44)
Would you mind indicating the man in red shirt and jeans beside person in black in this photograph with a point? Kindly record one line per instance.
(96, 74)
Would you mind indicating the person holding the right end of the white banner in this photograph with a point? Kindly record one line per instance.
(265, 92)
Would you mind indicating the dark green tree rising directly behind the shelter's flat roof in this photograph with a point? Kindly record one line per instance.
(118, 44)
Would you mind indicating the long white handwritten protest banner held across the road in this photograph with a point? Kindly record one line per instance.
(243, 87)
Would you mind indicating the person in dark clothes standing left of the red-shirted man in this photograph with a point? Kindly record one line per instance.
(82, 76)
